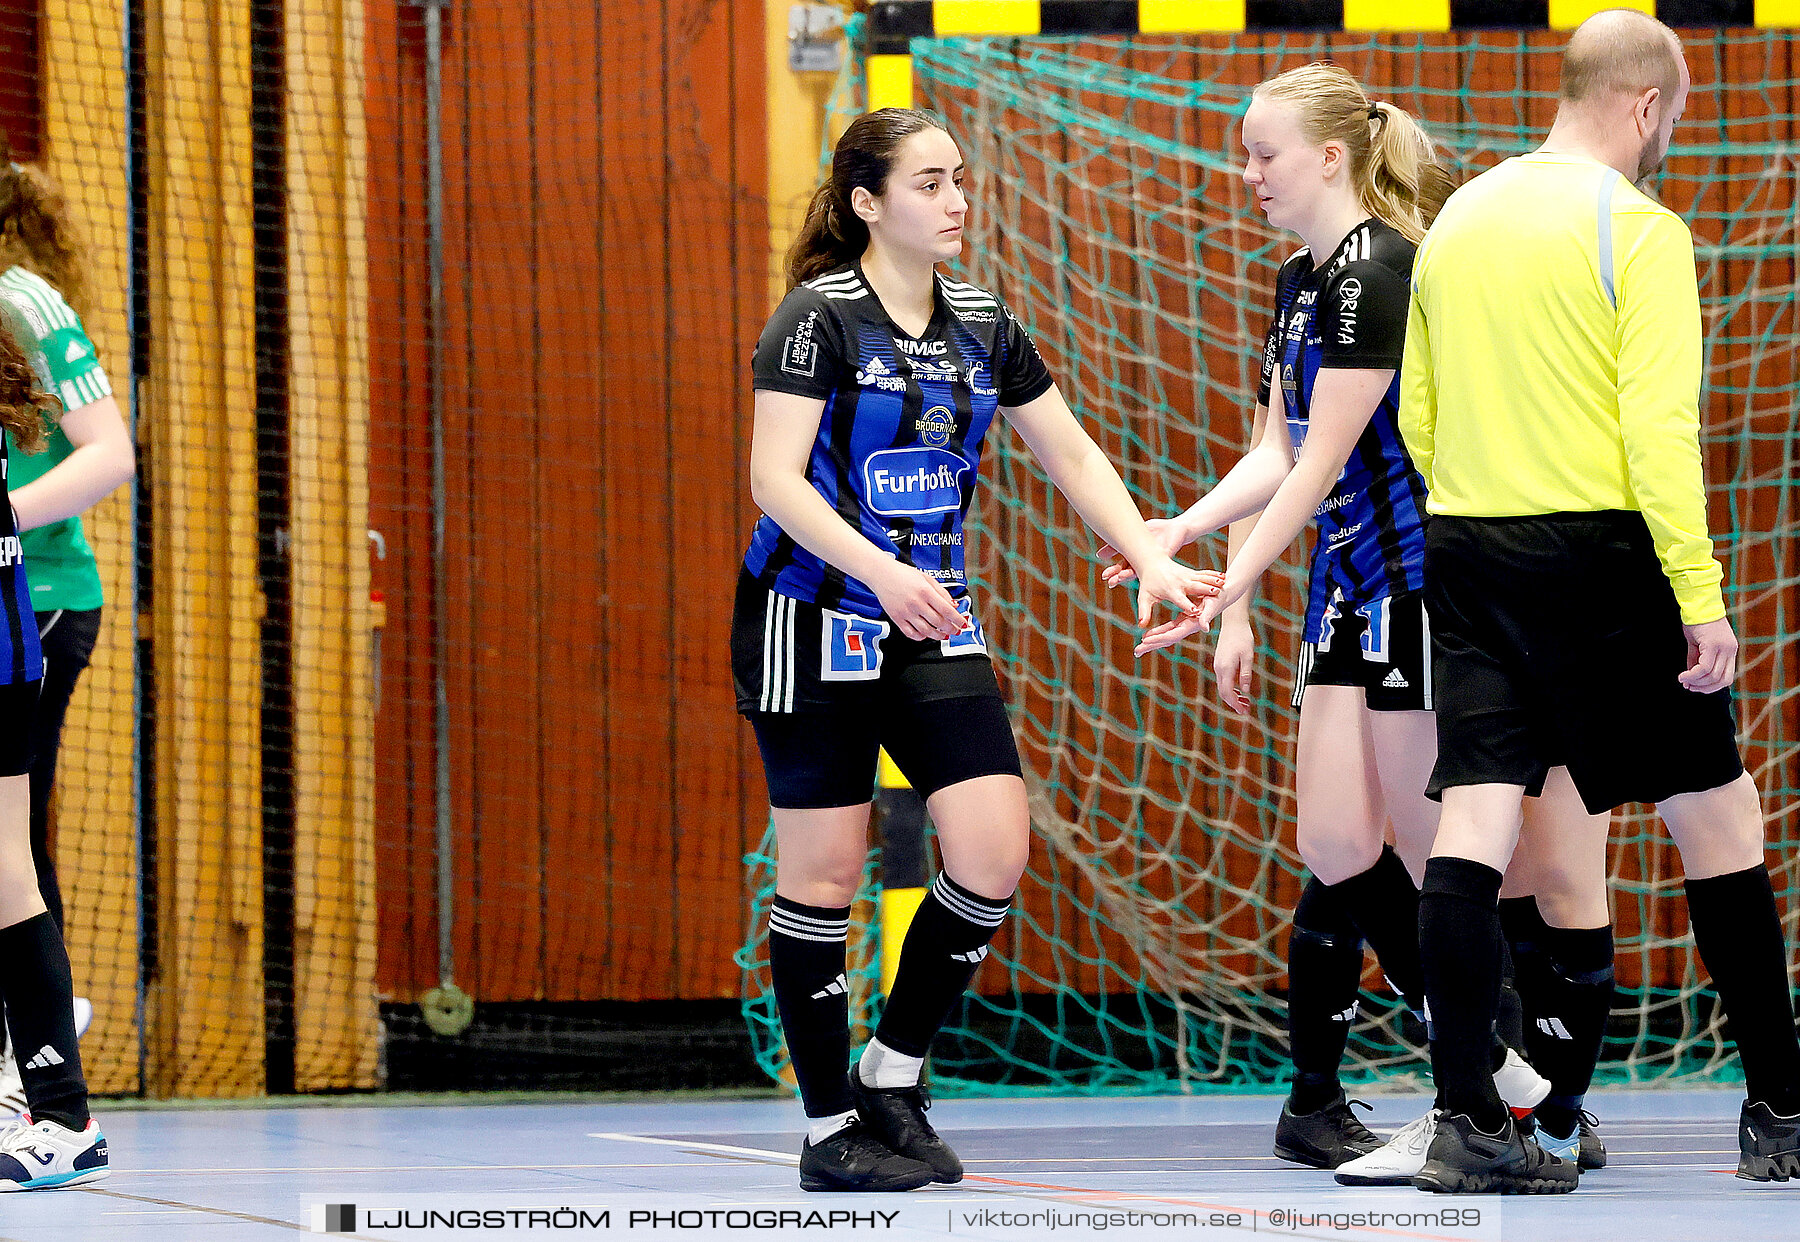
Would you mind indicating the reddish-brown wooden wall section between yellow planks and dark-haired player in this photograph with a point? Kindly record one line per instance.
(606, 280)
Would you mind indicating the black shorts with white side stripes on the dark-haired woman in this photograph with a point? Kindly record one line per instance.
(827, 692)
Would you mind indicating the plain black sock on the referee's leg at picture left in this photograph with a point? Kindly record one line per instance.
(1459, 930)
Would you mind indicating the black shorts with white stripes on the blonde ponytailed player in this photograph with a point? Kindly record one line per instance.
(1383, 647)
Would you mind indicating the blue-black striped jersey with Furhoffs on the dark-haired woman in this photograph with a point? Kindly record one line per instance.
(899, 444)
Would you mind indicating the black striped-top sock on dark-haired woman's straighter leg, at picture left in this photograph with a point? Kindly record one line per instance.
(813, 996)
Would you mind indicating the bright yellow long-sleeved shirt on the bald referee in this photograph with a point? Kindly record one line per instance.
(1554, 357)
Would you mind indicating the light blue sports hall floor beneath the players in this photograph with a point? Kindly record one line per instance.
(1124, 1169)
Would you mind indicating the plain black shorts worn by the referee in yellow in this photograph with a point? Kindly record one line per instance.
(1558, 642)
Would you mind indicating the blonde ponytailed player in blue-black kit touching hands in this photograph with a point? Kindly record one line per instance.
(1345, 175)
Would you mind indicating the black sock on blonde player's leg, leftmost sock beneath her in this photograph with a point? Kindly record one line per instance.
(1324, 978)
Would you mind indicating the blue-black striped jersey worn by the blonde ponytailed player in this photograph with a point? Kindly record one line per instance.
(1351, 312)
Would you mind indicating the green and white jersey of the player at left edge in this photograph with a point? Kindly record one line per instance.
(58, 559)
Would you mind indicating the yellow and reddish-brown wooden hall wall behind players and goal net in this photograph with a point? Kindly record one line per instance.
(249, 798)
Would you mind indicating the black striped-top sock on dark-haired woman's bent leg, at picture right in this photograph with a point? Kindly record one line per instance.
(946, 944)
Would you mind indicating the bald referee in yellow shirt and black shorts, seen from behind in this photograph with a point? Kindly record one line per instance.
(1551, 399)
